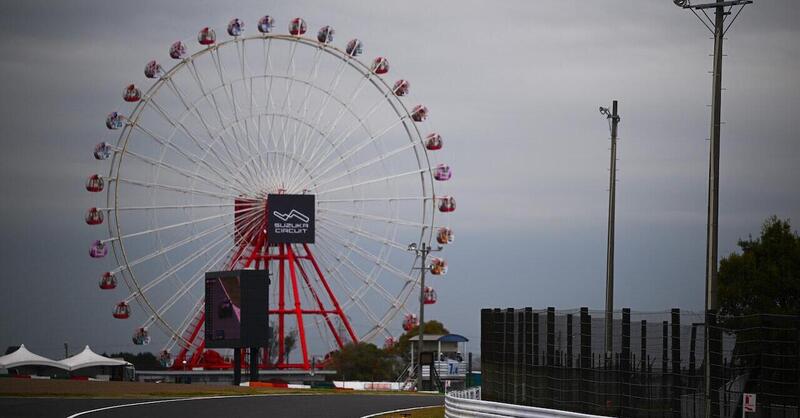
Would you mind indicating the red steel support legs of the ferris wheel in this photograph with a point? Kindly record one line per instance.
(297, 269)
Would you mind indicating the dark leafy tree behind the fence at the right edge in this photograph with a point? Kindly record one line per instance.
(765, 277)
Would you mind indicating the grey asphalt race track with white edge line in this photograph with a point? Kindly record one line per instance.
(333, 406)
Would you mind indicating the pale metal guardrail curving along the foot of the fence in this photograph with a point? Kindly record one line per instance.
(467, 404)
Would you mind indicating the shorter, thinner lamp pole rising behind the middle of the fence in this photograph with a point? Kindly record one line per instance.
(613, 118)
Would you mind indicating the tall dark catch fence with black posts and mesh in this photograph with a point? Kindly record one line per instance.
(556, 359)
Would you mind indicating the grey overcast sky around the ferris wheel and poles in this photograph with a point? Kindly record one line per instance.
(514, 87)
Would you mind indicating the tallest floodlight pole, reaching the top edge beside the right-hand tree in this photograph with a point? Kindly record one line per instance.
(718, 28)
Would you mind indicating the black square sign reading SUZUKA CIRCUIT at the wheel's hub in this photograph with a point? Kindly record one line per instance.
(290, 219)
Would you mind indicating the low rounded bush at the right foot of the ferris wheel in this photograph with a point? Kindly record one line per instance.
(365, 362)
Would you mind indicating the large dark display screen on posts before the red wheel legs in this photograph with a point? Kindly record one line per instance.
(236, 309)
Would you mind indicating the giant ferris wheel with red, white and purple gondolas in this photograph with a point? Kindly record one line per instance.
(229, 122)
